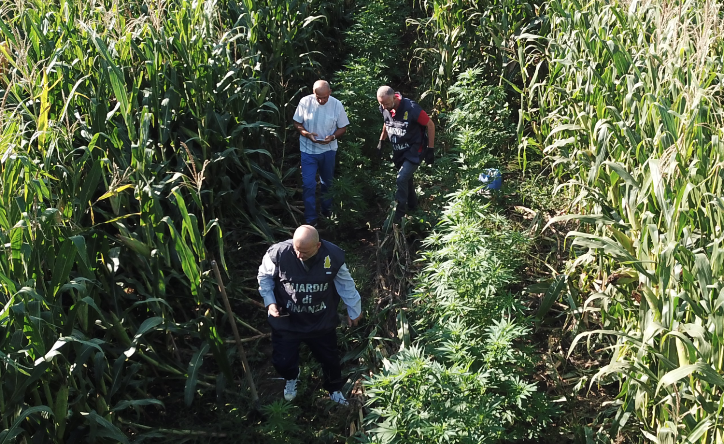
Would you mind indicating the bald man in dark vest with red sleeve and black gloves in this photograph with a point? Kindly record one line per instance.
(412, 134)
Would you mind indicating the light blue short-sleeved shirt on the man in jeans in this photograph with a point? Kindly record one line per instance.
(320, 119)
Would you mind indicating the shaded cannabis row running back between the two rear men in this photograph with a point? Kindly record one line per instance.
(375, 59)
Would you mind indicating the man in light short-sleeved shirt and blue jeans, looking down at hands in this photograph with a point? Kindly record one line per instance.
(320, 120)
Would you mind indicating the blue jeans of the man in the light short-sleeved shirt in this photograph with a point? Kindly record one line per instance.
(311, 164)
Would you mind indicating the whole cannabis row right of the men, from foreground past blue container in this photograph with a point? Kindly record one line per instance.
(464, 378)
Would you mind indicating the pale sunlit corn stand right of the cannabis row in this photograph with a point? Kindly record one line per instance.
(629, 118)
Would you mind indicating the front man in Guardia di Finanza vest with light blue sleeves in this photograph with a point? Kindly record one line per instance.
(302, 281)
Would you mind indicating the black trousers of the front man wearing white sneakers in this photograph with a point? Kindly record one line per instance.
(285, 355)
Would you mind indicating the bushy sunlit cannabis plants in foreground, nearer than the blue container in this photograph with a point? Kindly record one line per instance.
(480, 370)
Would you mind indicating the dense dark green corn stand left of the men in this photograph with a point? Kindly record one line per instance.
(122, 131)
